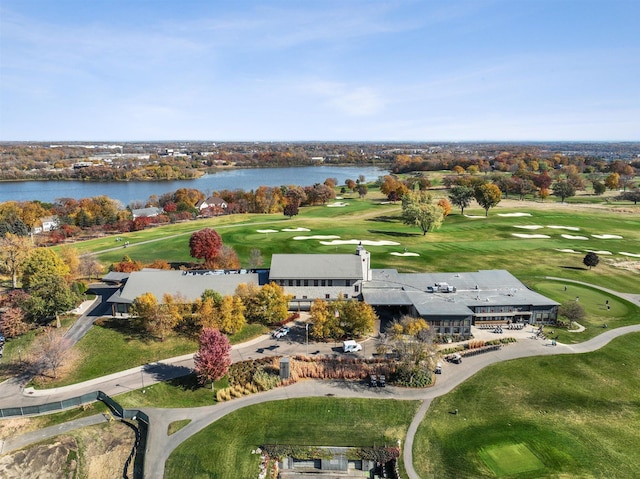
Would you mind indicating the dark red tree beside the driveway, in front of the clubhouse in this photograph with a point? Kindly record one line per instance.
(213, 358)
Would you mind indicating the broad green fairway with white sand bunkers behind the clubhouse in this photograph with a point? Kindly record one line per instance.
(469, 242)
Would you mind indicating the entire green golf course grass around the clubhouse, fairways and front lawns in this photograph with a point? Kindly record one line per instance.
(559, 416)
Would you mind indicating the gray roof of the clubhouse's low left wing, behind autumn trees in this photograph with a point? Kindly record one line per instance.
(190, 285)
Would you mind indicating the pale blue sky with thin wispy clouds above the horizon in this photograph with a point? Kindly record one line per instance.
(430, 70)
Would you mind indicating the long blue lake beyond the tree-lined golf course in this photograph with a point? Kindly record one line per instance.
(126, 192)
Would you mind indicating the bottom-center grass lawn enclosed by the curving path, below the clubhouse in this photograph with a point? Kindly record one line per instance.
(223, 450)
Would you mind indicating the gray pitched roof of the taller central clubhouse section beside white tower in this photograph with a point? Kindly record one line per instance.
(315, 266)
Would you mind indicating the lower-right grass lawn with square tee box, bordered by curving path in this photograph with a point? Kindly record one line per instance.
(577, 416)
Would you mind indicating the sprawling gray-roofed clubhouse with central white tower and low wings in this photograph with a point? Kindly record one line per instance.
(450, 302)
